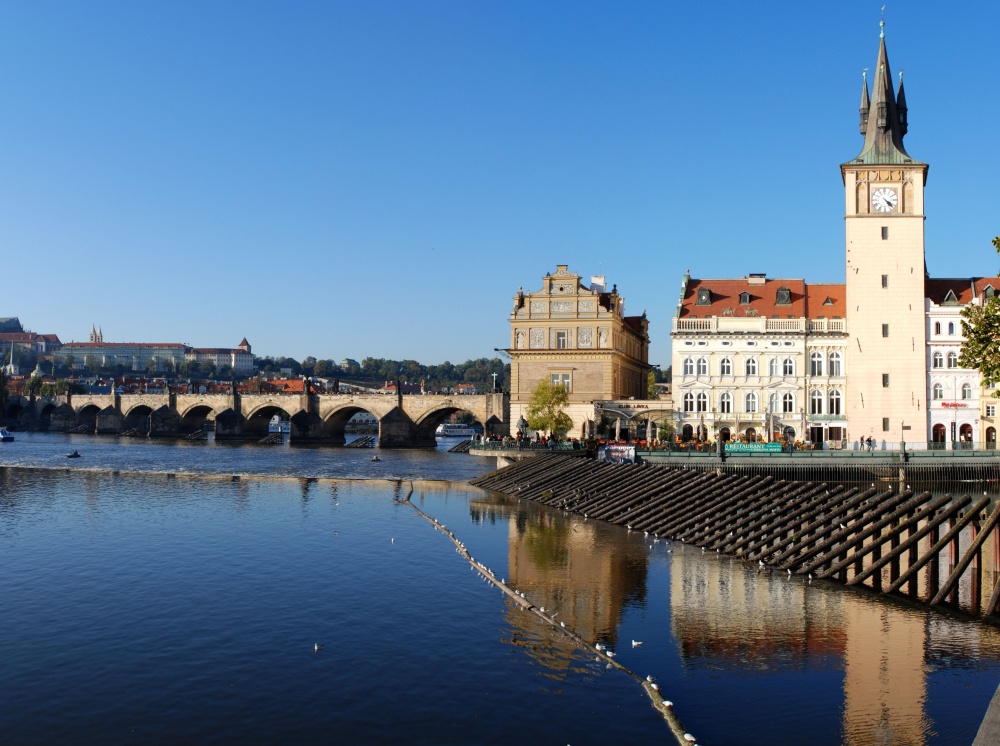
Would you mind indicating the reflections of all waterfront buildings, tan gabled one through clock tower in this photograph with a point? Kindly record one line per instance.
(726, 617)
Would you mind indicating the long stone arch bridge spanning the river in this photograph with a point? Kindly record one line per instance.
(404, 421)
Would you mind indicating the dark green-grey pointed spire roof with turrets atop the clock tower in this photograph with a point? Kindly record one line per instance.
(885, 127)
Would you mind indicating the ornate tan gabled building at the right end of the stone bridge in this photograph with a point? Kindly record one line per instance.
(576, 335)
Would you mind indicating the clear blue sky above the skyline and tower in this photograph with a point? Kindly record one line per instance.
(378, 178)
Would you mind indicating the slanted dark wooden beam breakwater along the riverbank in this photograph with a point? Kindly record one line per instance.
(882, 537)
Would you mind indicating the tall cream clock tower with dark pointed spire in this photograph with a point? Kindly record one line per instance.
(884, 220)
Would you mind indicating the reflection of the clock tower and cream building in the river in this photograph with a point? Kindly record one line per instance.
(725, 615)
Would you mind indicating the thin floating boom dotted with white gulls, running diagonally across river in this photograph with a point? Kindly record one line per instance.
(662, 705)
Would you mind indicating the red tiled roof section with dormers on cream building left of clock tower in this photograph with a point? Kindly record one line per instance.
(726, 294)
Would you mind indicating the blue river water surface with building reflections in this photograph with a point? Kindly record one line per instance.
(154, 592)
